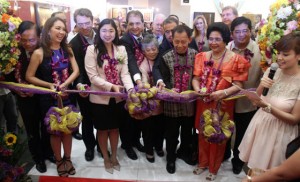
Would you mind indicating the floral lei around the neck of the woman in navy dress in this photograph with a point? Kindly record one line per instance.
(55, 64)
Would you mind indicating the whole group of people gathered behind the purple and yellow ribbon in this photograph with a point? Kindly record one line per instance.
(215, 60)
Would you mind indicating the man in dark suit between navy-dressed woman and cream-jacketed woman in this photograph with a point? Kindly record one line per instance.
(84, 20)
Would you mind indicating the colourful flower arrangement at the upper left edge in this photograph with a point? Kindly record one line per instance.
(9, 52)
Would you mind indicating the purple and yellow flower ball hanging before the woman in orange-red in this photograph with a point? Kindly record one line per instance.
(216, 126)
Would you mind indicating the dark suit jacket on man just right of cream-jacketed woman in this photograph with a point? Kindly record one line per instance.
(128, 42)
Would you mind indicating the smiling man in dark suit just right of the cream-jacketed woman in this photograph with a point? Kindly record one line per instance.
(129, 131)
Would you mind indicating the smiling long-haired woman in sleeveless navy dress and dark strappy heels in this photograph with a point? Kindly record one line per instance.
(50, 66)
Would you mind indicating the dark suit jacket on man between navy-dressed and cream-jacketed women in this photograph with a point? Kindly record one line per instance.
(77, 46)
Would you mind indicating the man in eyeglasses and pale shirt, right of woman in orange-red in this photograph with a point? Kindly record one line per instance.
(244, 109)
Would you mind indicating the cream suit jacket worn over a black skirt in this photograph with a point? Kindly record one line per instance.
(97, 76)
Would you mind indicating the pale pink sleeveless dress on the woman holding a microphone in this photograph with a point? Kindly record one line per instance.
(264, 143)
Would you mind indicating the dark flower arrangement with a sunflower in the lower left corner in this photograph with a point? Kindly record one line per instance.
(11, 148)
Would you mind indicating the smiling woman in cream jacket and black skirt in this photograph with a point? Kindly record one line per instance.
(106, 67)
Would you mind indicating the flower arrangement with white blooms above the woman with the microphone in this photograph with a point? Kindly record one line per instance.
(284, 18)
